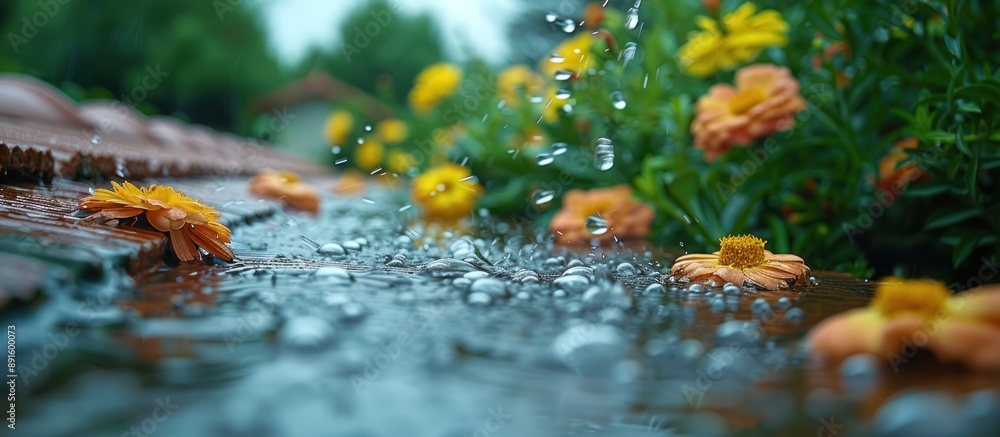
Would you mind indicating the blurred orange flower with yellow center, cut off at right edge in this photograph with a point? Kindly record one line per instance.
(962, 330)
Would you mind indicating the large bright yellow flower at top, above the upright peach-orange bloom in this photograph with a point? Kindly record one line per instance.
(743, 35)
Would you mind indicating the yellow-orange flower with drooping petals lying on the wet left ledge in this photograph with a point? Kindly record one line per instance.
(189, 223)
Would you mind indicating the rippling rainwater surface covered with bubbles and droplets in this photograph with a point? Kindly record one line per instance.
(374, 325)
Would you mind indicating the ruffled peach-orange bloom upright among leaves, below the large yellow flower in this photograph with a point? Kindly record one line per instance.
(764, 100)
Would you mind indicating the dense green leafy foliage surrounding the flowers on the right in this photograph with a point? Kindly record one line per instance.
(925, 72)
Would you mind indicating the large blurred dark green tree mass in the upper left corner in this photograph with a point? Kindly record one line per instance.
(197, 58)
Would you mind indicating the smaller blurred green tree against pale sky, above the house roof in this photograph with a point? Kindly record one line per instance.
(378, 42)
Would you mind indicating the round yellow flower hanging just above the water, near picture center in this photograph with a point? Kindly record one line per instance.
(447, 192)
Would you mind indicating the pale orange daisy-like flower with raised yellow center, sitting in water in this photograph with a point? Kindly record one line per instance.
(741, 260)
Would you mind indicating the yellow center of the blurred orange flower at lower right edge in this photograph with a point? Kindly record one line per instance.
(924, 298)
